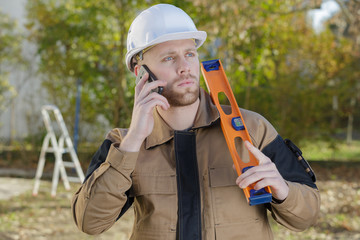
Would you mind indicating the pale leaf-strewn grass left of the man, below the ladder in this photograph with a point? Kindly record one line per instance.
(45, 217)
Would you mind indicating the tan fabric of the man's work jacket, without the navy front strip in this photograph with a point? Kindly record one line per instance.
(148, 178)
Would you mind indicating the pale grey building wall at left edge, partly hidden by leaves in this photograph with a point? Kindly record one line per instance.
(22, 116)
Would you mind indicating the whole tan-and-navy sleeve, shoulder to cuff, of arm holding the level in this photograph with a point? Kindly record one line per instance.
(301, 208)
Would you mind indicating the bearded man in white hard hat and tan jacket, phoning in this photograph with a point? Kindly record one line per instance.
(173, 164)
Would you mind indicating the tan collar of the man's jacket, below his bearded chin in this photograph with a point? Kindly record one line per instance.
(206, 115)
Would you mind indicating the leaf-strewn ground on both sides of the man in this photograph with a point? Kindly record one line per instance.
(27, 217)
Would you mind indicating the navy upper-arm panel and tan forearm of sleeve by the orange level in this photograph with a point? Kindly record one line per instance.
(301, 208)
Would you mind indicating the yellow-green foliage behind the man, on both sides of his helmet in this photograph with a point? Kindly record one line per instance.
(277, 65)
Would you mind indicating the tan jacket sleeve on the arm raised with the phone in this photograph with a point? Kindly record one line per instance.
(103, 196)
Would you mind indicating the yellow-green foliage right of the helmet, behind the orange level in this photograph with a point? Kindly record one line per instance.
(278, 66)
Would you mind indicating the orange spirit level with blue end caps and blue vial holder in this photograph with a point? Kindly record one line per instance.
(233, 126)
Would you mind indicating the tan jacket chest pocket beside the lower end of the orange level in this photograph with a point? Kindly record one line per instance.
(228, 200)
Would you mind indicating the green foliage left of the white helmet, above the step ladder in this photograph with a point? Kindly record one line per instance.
(81, 39)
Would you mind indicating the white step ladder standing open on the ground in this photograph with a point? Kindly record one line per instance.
(51, 145)
